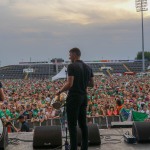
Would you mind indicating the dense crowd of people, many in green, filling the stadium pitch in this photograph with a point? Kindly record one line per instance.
(33, 98)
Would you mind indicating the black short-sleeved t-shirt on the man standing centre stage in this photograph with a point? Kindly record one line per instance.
(82, 74)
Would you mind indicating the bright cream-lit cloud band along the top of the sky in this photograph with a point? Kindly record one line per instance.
(82, 12)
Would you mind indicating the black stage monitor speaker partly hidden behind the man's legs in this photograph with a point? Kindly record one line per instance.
(93, 135)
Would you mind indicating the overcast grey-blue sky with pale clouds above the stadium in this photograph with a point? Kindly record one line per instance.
(39, 30)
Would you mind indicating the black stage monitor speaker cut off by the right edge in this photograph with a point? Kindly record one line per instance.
(141, 130)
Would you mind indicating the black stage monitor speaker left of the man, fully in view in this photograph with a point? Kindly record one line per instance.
(47, 137)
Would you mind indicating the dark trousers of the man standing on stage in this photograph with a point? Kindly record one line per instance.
(76, 112)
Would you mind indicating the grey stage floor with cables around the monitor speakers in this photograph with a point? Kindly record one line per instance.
(111, 139)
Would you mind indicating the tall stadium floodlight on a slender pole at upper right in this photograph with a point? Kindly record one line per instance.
(142, 5)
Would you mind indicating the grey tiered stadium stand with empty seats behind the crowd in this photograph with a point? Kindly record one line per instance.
(42, 71)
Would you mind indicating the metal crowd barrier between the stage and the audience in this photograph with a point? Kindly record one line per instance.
(102, 121)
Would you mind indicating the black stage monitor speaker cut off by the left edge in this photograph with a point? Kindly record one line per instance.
(3, 136)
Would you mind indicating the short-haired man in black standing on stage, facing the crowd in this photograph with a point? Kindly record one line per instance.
(80, 76)
